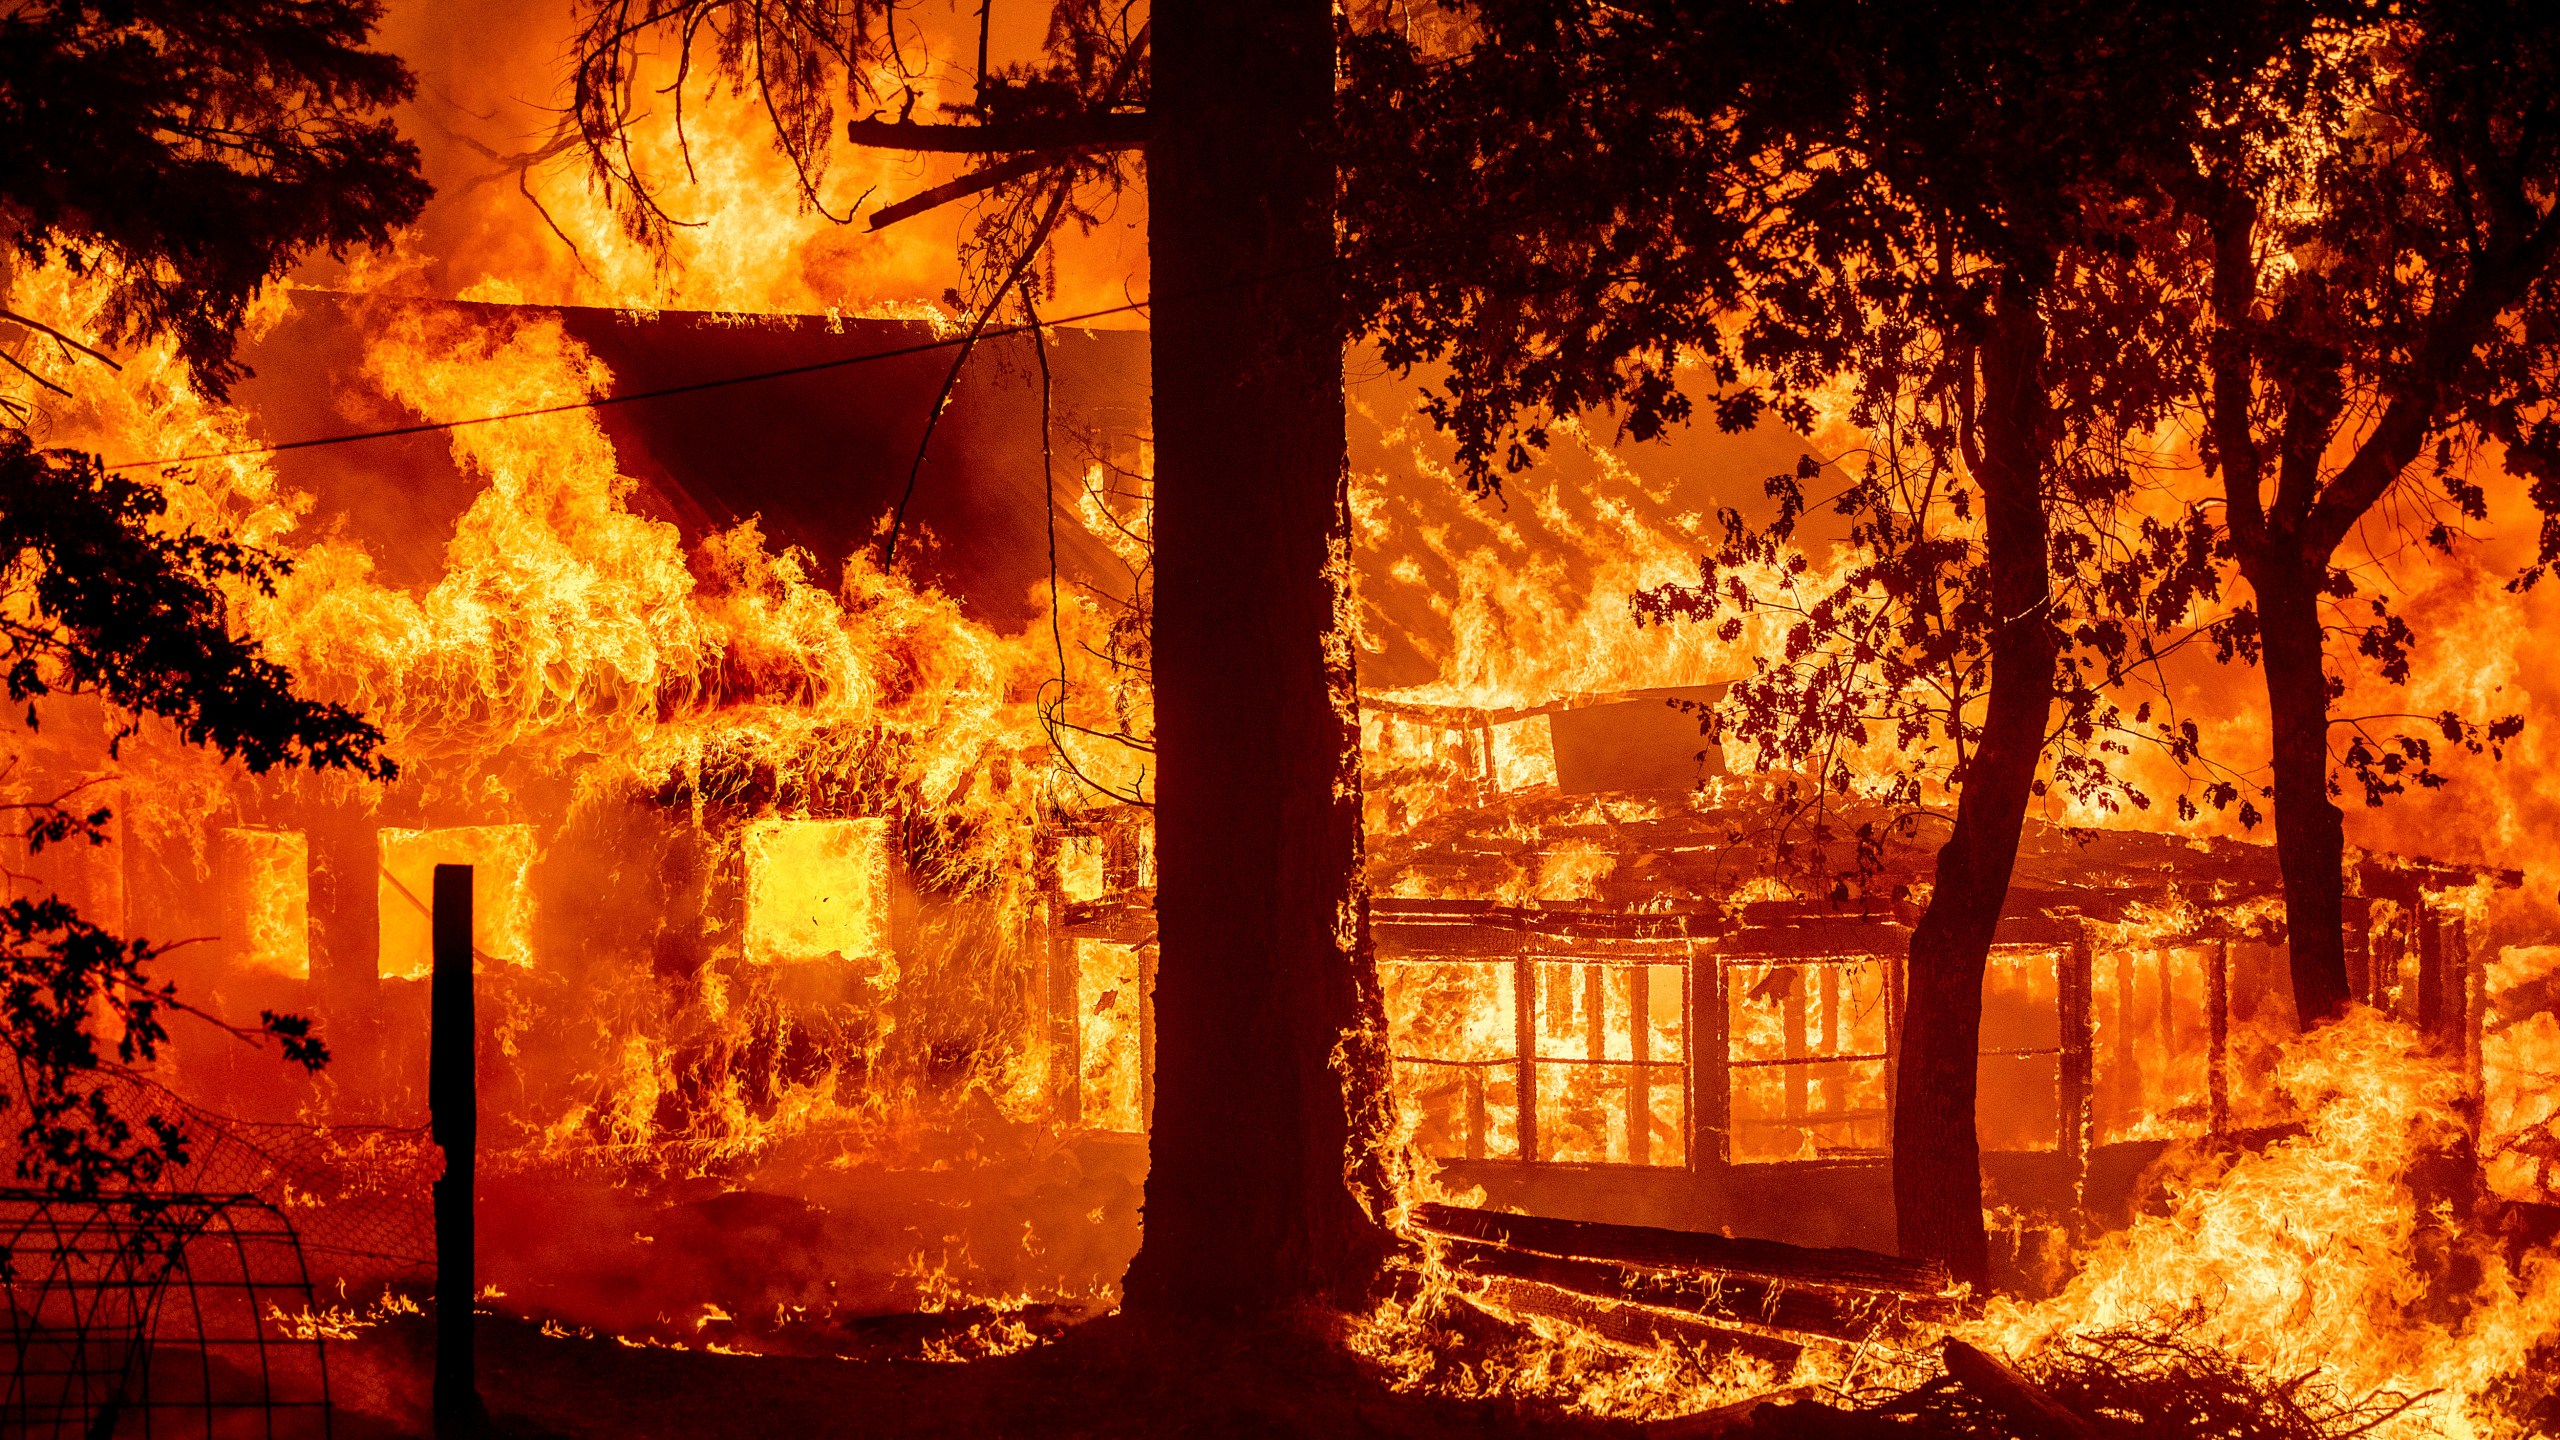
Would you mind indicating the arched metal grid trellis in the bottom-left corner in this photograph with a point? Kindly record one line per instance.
(157, 1316)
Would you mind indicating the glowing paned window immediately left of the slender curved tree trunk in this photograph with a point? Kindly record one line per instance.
(1809, 1052)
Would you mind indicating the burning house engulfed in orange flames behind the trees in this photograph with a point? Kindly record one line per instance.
(772, 872)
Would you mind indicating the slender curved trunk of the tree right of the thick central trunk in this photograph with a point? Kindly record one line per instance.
(1937, 1147)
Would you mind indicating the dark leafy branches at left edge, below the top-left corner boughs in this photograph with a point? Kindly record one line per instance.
(101, 601)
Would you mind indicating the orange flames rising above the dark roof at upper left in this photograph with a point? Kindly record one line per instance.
(518, 219)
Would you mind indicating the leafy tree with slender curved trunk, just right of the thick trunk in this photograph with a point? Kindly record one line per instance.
(1921, 214)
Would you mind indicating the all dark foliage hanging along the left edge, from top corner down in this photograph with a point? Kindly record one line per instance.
(188, 155)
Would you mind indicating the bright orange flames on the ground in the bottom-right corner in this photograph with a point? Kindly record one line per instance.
(2323, 1254)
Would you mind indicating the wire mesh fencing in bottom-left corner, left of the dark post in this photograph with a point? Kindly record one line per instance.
(193, 1308)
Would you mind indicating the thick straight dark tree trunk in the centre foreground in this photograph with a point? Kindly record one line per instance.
(1268, 1031)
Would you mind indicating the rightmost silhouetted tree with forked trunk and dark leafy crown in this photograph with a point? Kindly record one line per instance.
(2374, 273)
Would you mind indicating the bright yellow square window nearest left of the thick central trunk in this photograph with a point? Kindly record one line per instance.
(818, 890)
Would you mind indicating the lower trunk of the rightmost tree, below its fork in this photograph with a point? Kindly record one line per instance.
(2310, 831)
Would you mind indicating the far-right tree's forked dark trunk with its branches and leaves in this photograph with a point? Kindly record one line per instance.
(2418, 273)
